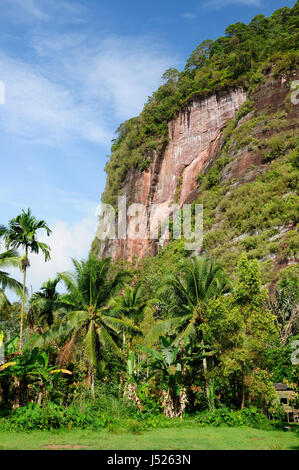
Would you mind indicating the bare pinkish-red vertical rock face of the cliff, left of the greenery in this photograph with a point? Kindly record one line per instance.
(194, 141)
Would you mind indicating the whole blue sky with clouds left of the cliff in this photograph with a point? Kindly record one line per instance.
(72, 71)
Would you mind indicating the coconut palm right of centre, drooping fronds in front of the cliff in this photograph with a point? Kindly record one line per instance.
(198, 280)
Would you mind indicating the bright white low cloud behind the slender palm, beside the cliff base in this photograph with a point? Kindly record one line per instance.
(67, 240)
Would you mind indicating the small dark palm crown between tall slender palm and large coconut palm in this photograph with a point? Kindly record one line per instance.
(44, 303)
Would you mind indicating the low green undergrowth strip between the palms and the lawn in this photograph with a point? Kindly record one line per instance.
(99, 414)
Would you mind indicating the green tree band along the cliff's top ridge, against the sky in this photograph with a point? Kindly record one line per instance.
(236, 59)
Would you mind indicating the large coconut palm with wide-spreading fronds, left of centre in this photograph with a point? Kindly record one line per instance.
(90, 289)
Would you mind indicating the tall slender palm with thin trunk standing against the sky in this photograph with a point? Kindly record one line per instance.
(22, 232)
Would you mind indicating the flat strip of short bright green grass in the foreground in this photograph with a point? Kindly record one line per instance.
(208, 438)
